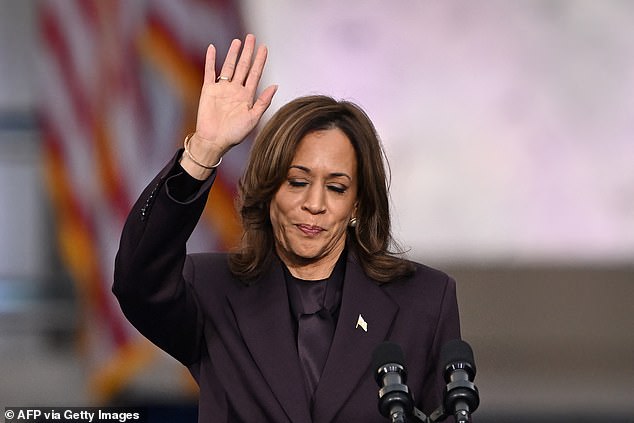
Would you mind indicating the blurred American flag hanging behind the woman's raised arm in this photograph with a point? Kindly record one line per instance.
(119, 85)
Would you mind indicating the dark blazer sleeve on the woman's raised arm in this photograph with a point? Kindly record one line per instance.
(148, 273)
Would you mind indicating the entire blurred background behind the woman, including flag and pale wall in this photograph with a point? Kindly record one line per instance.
(510, 132)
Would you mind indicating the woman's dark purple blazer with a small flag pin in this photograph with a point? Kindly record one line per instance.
(238, 340)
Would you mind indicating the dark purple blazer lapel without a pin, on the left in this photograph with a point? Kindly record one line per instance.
(263, 316)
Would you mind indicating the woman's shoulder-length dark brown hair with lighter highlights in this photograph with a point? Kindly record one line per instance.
(271, 155)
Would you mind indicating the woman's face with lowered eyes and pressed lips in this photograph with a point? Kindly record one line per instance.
(312, 209)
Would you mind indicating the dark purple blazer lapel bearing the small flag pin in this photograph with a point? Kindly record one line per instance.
(365, 320)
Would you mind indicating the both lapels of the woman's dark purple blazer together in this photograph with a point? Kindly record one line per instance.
(263, 316)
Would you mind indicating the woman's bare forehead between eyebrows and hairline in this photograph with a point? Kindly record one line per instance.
(328, 149)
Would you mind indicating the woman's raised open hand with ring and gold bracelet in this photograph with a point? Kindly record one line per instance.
(228, 108)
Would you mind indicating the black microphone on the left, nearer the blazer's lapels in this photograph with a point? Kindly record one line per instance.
(395, 400)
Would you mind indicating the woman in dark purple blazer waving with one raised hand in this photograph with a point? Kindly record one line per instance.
(283, 329)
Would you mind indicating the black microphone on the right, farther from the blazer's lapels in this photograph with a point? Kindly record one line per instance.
(461, 397)
